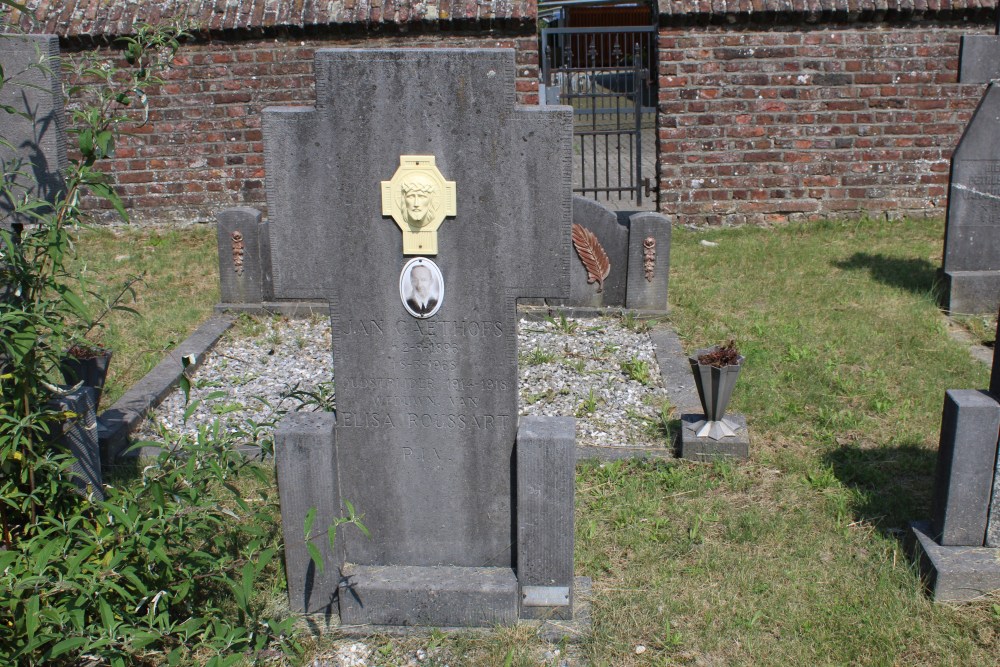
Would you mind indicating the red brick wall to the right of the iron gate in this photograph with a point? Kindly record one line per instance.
(761, 125)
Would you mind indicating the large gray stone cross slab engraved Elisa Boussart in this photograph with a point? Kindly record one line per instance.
(426, 407)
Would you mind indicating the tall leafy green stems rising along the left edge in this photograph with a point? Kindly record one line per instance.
(41, 308)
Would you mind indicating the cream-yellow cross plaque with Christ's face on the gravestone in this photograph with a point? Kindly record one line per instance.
(418, 198)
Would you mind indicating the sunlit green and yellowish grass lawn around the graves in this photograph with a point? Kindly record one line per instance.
(792, 558)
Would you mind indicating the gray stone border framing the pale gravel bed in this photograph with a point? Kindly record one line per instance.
(118, 421)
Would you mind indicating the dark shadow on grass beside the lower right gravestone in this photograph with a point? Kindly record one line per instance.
(890, 485)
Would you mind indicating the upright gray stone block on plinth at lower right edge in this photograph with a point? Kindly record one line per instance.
(963, 479)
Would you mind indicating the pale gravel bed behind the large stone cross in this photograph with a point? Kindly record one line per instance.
(577, 367)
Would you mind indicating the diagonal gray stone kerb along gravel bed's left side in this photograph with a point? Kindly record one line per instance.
(124, 416)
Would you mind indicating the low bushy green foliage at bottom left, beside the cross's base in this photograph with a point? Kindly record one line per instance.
(169, 562)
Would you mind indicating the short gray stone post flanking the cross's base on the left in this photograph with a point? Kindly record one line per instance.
(305, 463)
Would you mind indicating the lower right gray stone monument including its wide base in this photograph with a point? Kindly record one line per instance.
(959, 548)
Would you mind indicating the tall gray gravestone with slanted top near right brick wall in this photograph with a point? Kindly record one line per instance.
(972, 236)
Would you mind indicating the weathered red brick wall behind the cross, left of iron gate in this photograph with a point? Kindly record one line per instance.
(202, 148)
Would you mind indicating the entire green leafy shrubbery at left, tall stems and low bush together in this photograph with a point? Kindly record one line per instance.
(170, 561)
